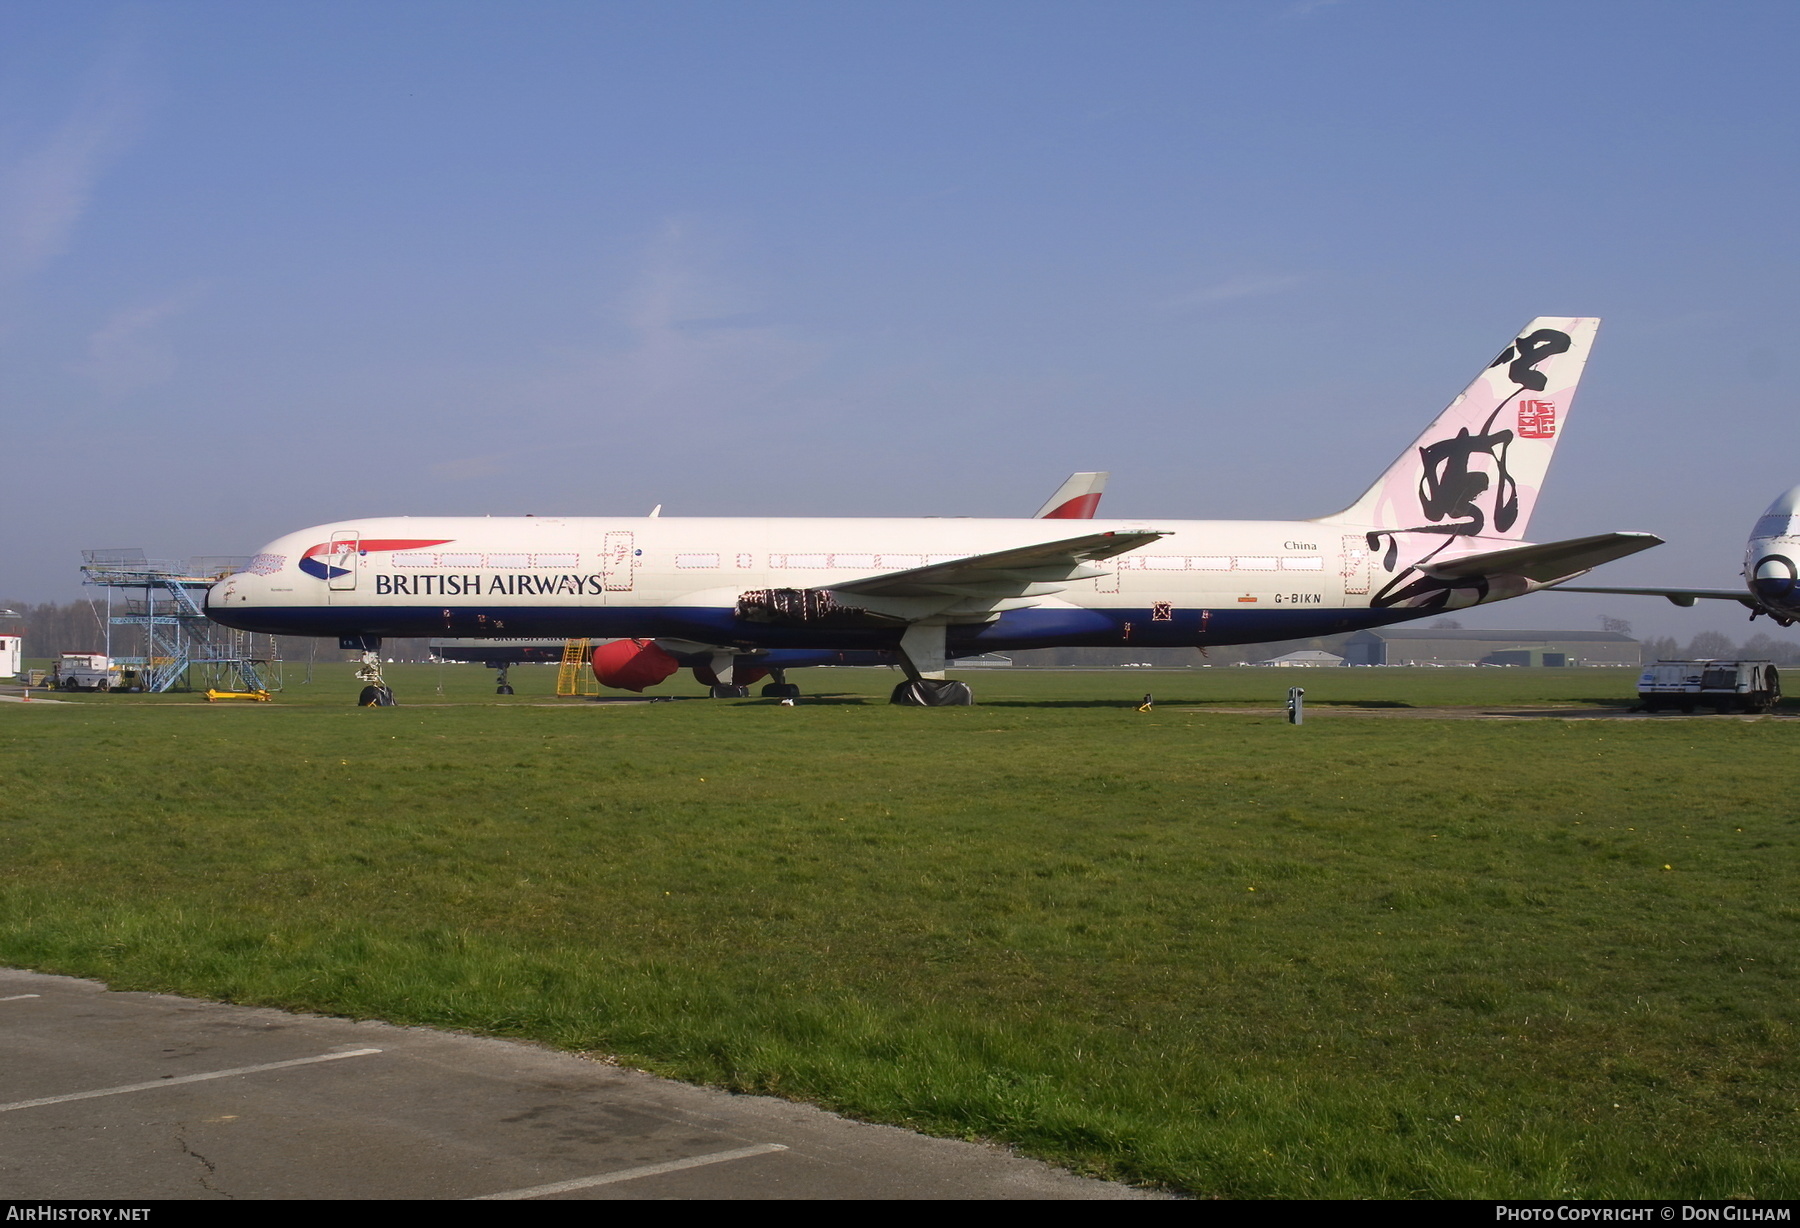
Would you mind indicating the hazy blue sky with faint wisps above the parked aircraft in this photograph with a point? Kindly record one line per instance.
(283, 264)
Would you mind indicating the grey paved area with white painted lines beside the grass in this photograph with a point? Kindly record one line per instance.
(121, 1096)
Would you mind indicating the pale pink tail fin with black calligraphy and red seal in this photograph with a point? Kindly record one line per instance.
(1477, 471)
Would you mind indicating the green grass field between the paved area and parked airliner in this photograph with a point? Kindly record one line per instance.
(1365, 957)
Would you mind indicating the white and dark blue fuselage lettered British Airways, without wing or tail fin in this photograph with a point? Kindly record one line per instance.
(1201, 582)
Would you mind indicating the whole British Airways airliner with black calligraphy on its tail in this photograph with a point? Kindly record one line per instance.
(741, 599)
